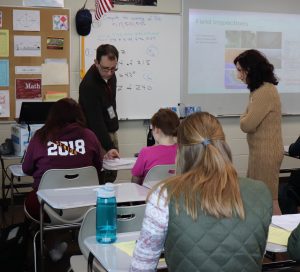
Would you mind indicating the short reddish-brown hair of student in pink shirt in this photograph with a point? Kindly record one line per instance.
(167, 121)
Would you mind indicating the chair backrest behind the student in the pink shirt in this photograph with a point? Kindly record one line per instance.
(158, 173)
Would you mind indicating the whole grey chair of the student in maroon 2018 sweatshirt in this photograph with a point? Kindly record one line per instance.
(64, 178)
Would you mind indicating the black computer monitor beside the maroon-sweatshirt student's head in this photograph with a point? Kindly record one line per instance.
(34, 112)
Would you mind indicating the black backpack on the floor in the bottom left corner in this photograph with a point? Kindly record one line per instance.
(13, 247)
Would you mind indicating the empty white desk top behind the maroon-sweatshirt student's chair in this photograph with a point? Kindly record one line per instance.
(67, 198)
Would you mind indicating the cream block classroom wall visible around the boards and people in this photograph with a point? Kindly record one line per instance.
(132, 134)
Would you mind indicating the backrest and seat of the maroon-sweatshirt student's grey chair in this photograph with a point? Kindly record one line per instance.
(66, 178)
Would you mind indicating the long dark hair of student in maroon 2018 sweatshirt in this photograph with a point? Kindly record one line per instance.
(65, 111)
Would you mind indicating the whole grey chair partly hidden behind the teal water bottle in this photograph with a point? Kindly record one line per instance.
(129, 218)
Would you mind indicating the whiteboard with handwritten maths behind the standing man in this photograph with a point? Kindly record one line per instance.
(148, 77)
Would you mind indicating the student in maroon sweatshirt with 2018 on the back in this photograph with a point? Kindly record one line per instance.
(63, 142)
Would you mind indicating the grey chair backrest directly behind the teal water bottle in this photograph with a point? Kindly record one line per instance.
(129, 218)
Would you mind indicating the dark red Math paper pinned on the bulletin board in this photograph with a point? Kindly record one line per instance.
(28, 88)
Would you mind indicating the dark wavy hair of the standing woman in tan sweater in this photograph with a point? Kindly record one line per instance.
(258, 68)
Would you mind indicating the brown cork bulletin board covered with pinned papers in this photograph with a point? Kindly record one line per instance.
(38, 56)
